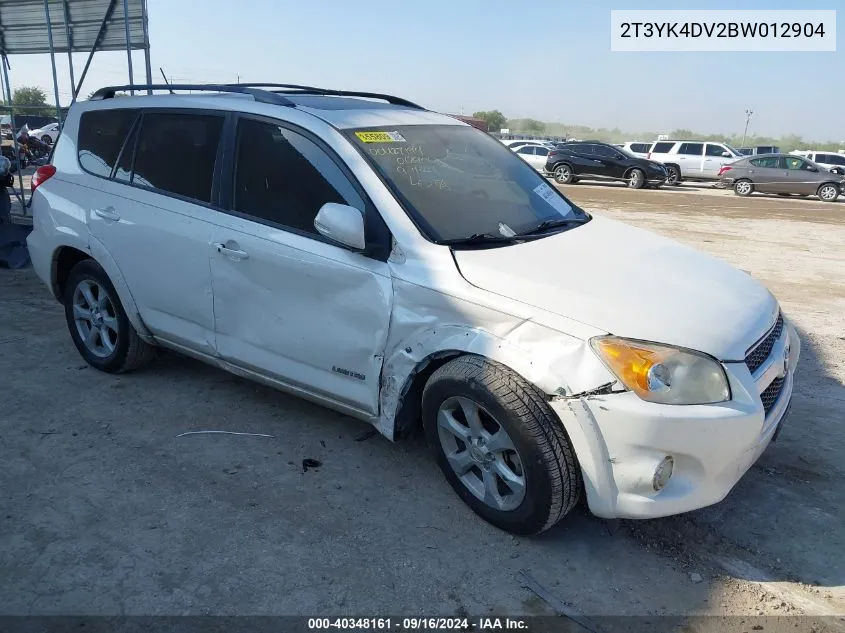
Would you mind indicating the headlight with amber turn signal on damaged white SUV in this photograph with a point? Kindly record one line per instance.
(662, 373)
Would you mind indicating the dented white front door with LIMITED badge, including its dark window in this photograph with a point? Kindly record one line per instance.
(289, 304)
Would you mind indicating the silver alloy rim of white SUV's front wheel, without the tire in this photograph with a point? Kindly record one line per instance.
(481, 453)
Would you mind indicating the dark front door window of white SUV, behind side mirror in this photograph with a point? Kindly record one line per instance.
(285, 178)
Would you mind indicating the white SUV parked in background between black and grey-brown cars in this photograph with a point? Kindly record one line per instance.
(692, 160)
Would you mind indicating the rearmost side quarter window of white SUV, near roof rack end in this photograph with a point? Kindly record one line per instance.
(101, 135)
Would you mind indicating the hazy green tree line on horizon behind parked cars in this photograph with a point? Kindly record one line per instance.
(497, 121)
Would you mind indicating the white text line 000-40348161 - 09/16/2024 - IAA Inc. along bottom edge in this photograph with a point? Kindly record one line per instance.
(418, 624)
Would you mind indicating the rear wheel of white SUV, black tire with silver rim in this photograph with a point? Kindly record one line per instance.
(119, 349)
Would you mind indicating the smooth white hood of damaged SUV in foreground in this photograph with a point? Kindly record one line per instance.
(630, 282)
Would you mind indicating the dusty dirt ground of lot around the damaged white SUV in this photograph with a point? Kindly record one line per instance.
(107, 510)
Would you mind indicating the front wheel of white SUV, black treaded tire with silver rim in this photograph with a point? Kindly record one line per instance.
(539, 450)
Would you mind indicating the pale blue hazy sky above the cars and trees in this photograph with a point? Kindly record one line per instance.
(552, 62)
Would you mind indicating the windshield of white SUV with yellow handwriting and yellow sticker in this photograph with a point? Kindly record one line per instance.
(457, 182)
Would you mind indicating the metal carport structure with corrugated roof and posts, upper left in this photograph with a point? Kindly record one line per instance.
(69, 26)
